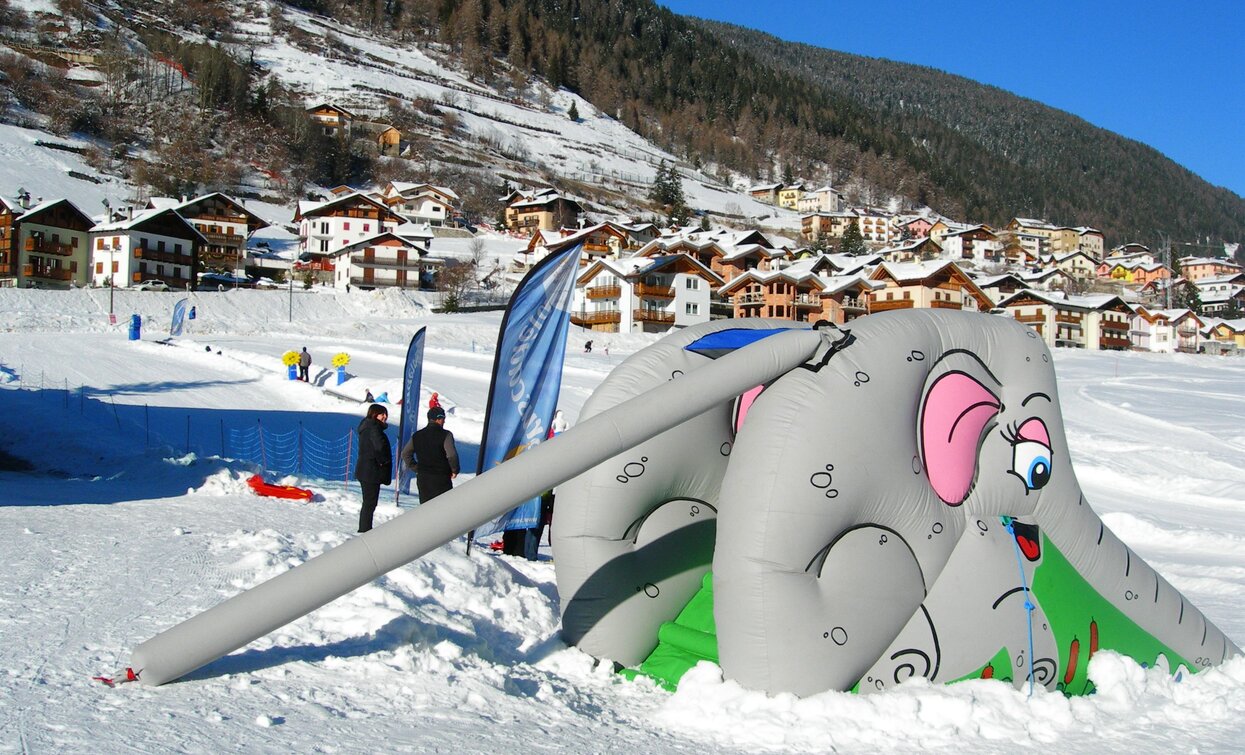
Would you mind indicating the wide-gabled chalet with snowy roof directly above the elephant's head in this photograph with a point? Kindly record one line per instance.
(927, 286)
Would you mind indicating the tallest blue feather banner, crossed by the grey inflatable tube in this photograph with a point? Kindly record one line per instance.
(527, 372)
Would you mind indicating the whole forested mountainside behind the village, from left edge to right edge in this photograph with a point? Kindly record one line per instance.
(733, 102)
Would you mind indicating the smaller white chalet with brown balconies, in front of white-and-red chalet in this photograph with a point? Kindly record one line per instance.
(389, 260)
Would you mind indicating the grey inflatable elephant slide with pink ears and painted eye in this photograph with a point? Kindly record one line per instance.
(901, 505)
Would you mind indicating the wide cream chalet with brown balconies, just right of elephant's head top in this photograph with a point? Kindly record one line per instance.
(1095, 323)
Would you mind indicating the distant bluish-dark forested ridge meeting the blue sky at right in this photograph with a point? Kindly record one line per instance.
(1034, 159)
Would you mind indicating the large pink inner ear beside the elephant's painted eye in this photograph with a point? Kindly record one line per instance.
(957, 412)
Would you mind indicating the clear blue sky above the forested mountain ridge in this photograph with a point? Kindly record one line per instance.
(1171, 75)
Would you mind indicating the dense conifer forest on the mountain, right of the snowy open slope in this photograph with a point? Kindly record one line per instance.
(750, 103)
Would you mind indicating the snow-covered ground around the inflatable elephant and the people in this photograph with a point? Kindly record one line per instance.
(118, 534)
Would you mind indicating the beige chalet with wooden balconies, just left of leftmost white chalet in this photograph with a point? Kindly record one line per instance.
(53, 246)
